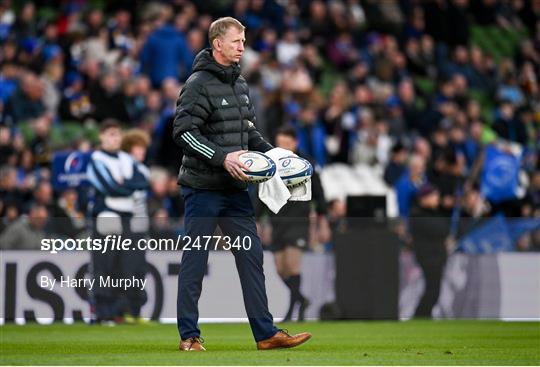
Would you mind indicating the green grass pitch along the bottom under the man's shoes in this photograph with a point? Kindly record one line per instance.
(333, 343)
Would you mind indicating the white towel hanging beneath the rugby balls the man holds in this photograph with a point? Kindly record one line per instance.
(274, 193)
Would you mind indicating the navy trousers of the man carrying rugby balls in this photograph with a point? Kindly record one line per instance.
(233, 212)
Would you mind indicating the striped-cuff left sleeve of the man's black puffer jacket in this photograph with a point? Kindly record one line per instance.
(192, 111)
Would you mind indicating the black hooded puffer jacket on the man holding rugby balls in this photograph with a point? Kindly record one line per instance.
(214, 116)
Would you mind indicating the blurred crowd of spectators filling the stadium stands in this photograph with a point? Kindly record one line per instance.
(419, 88)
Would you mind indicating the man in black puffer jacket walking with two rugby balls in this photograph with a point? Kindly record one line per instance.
(214, 124)
